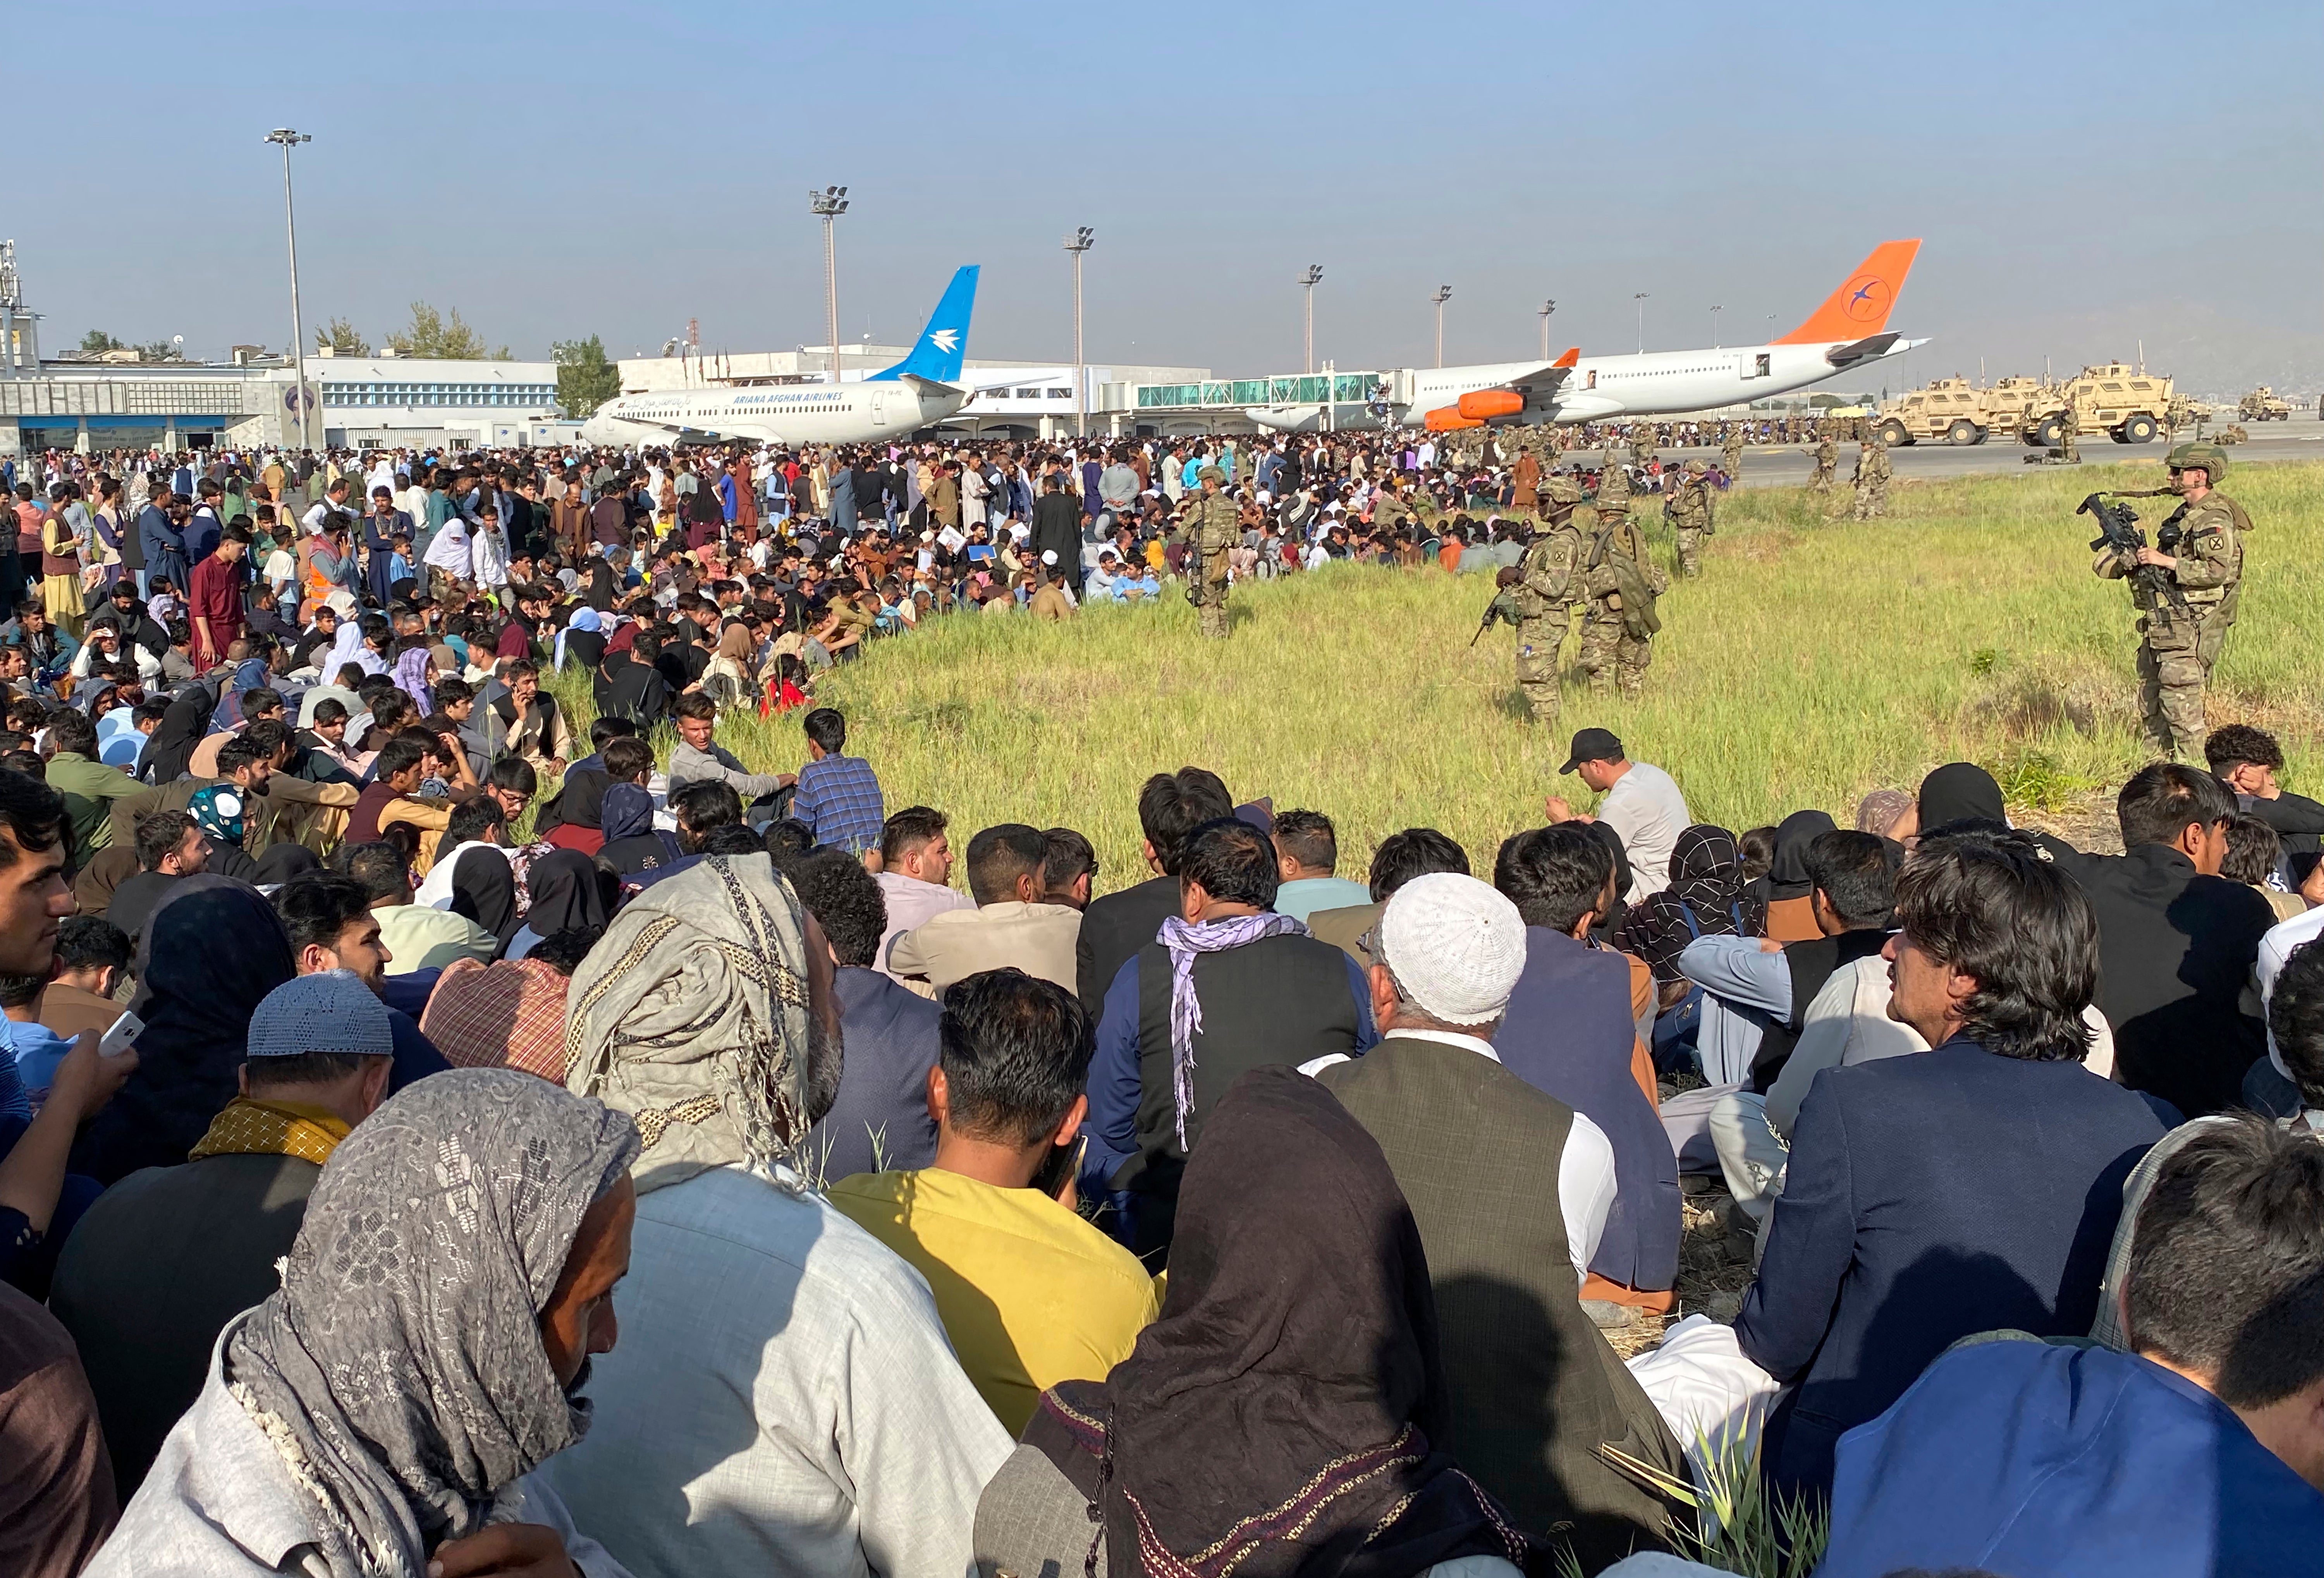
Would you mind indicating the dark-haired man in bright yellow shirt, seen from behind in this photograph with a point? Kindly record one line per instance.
(1028, 1291)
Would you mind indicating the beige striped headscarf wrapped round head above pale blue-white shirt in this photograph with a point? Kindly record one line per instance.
(691, 1017)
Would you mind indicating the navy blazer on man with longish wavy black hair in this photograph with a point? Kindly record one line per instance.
(1930, 1198)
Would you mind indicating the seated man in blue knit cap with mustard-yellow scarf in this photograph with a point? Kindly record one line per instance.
(168, 1256)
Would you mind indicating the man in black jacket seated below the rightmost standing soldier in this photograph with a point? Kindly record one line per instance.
(2176, 940)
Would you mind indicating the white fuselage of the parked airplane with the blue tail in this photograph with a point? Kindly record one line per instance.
(775, 415)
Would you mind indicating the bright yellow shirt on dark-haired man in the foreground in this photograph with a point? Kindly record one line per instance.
(1028, 1293)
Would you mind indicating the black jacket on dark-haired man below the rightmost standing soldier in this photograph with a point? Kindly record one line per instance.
(2174, 968)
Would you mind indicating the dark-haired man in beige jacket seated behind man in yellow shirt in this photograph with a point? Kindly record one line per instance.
(1012, 926)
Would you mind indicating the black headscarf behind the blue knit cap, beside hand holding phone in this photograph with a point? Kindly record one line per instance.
(206, 961)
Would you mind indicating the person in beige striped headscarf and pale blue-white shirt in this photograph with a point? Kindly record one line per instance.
(787, 1400)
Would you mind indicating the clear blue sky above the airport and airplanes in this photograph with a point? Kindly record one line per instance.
(557, 171)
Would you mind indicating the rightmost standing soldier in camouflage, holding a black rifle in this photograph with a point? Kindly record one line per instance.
(2202, 559)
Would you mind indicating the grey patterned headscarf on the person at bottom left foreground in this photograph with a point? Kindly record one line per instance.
(401, 1365)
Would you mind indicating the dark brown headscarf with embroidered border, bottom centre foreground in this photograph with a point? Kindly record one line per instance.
(1284, 1412)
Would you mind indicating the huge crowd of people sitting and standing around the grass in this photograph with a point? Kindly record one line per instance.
(545, 1145)
